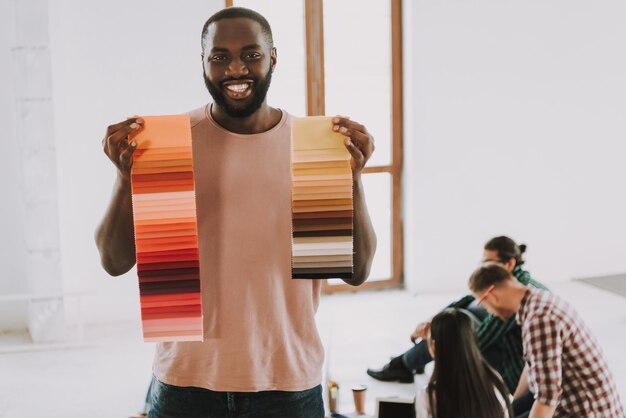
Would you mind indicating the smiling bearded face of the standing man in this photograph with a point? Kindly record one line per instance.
(238, 63)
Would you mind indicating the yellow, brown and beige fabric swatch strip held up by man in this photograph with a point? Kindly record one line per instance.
(322, 208)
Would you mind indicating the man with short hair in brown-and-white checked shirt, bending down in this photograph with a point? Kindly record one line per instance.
(567, 372)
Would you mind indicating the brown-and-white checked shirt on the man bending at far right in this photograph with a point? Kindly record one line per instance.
(566, 366)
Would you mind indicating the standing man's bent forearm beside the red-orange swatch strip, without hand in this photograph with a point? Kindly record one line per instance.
(114, 236)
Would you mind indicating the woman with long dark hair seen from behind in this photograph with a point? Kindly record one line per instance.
(462, 384)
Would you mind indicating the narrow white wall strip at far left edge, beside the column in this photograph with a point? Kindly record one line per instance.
(12, 247)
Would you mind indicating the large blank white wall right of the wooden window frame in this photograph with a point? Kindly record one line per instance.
(515, 125)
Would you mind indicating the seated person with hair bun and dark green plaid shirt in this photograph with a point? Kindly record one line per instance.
(499, 341)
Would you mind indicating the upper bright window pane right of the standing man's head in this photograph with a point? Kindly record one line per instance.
(357, 60)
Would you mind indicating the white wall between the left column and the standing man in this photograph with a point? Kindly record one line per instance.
(111, 60)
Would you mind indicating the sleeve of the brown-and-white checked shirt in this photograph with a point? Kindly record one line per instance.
(543, 342)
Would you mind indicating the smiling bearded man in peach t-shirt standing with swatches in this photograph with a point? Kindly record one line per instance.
(262, 355)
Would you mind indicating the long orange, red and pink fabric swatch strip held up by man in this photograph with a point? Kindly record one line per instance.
(166, 233)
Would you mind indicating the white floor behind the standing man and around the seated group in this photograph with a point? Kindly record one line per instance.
(107, 377)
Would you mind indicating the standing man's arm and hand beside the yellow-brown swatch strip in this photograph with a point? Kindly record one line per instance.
(360, 144)
